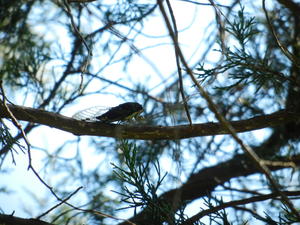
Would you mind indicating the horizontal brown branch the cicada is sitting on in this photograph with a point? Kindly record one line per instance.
(141, 131)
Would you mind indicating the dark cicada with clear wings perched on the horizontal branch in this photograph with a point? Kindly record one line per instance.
(122, 112)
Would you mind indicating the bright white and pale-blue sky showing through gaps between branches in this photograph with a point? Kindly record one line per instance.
(192, 23)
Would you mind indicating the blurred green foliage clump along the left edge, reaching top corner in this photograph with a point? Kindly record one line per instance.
(23, 52)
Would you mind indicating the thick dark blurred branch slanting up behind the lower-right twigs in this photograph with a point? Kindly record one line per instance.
(206, 180)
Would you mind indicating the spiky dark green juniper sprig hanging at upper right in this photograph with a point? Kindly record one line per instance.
(243, 64)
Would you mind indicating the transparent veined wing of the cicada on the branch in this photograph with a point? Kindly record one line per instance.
(90, 114)
